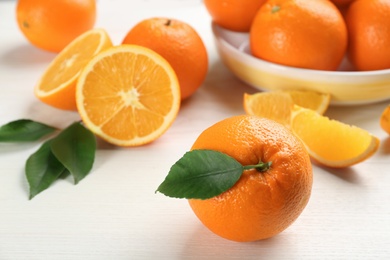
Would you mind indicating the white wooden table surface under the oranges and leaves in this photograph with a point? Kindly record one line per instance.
(114, 212)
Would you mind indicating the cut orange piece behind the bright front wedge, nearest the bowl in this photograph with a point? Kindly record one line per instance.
(277, 105)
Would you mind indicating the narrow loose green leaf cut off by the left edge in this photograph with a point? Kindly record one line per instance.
(24, 130)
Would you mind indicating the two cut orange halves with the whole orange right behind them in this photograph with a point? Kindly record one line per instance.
(129, 94)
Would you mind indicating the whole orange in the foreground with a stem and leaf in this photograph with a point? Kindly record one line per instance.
(261, 204)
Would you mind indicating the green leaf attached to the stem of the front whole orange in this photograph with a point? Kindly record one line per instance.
(201, 174)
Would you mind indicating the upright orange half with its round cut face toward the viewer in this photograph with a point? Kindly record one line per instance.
(128, 95)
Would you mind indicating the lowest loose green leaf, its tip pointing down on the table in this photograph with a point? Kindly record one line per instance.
(42, 169)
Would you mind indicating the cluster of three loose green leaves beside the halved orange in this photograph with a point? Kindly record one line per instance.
(72, 151)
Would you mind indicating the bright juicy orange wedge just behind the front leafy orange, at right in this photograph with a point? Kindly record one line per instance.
(330, 142)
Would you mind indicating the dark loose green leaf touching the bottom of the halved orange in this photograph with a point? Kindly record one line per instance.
(75, 148)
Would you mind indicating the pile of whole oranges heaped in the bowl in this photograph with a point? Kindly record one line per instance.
(312, 34)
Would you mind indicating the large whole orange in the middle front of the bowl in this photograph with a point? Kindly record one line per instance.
(300, 33)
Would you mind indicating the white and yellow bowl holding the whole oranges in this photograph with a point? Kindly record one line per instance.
(345, 87)
